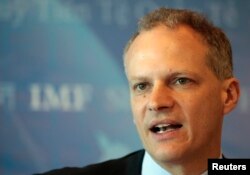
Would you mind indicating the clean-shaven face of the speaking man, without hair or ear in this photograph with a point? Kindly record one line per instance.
(176, 100)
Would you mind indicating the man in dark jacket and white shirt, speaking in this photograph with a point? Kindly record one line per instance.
(180, 74)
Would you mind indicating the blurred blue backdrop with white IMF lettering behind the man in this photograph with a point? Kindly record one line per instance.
(64, 99)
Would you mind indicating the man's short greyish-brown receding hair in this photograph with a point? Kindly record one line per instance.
(219, 56)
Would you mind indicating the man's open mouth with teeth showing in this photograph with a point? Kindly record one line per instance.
(161, 128)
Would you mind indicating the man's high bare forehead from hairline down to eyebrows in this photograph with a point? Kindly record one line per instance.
(161, 44)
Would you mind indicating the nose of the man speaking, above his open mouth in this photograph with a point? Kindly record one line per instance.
(161, 98)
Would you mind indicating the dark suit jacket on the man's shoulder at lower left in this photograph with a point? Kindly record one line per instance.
(128, 165)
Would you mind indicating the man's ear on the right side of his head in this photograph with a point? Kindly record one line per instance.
(232, 94)
